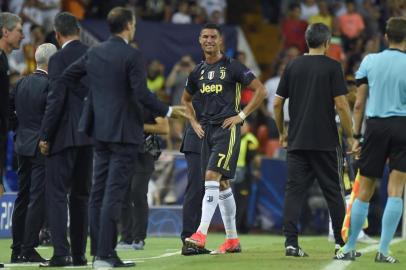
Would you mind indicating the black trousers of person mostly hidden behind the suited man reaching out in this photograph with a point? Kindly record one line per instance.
(134, 216)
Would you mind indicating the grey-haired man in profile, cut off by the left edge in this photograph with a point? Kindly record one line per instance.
(11, 34)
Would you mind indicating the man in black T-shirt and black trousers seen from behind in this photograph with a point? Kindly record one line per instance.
(314, 84)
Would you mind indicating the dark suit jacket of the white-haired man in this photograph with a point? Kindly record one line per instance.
(27, 107)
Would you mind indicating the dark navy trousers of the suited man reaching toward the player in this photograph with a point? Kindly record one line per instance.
(113, 168)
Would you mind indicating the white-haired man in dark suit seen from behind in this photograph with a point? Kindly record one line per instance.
(27, 107)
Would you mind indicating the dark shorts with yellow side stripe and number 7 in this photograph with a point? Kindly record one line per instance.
(220, 150)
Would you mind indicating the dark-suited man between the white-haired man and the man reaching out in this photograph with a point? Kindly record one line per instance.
(69, 163)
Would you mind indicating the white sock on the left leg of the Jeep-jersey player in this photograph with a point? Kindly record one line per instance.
(209, 205)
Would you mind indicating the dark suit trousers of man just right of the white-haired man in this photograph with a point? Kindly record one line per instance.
(69, 175)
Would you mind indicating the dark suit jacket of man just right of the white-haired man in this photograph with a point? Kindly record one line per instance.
(64, 106)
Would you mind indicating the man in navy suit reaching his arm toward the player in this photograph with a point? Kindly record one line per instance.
(117, 85)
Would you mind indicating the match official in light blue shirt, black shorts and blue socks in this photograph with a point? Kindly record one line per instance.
(382, 95)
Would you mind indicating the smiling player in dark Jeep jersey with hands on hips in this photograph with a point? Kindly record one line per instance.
(219, 81)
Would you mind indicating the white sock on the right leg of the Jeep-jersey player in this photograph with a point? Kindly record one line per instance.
(228, 210)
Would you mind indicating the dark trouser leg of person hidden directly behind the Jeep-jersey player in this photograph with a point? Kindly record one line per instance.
(192, 202)
